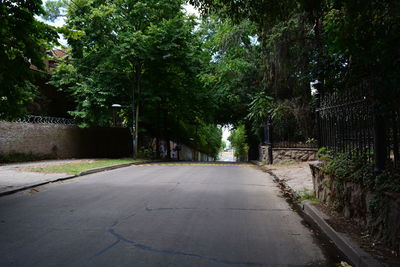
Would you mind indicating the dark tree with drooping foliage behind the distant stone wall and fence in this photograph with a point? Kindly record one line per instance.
(285, 61)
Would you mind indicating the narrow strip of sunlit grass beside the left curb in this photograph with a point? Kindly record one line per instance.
(76, 168)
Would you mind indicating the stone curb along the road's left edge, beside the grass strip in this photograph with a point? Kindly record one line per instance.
(102, 169)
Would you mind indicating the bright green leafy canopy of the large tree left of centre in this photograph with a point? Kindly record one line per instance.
(111, 58)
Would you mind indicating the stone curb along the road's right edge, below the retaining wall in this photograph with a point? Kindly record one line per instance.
(354, 253)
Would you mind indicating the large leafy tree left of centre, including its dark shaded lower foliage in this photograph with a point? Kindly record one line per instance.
(146, 50)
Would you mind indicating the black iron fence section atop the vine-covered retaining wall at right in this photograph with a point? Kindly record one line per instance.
(356, 122)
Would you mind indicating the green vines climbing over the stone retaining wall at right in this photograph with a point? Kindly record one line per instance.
(381, 187)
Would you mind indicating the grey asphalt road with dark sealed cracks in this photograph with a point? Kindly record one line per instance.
(168, 215)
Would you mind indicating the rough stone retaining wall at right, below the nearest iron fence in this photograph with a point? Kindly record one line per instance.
(379, 214)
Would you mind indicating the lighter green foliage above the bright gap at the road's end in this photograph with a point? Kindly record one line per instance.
(232, 72)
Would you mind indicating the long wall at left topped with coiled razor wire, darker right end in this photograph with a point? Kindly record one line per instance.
(63, 141)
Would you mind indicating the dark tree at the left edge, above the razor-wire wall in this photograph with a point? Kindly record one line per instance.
(24, 41)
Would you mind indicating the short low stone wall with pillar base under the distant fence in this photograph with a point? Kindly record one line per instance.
(285, 154)
